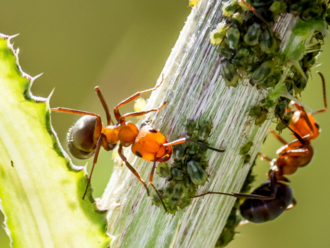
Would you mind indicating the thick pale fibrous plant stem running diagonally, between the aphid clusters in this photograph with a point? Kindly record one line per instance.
(194, 89)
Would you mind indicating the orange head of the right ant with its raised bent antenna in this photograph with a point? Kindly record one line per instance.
(304, 123)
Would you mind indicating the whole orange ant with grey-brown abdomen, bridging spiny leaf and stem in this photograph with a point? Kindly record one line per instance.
(88, 135)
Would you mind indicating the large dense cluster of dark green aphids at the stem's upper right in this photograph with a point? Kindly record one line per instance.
(250, 49)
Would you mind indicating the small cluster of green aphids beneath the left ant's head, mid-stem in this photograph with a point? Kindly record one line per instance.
(187, 171)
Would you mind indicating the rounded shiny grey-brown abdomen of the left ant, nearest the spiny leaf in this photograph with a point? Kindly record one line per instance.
(82, 138)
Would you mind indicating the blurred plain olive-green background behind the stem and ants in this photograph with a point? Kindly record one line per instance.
(122, 46)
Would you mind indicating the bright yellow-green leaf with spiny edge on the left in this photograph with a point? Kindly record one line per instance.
(40, 190)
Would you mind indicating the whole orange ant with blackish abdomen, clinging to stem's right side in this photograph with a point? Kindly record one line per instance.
(273, 197)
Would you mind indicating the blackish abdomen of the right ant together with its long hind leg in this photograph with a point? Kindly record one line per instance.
(265, 203)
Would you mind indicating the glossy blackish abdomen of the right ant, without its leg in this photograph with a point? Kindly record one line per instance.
(260, 211)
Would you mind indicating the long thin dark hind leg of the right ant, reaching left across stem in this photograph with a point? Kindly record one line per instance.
(273, 182)
